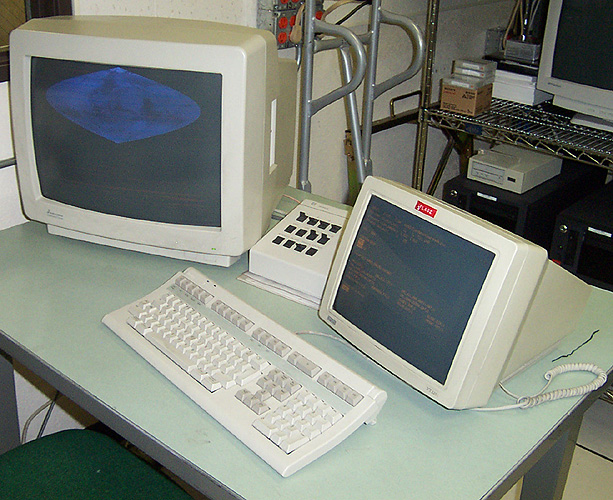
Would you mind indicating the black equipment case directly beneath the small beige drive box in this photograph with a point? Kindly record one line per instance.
(532, 214)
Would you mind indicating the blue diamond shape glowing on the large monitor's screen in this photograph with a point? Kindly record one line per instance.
(122, 106)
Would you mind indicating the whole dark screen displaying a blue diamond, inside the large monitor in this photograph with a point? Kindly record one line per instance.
(142, 143)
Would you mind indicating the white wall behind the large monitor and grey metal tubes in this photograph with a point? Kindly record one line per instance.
(462, 28)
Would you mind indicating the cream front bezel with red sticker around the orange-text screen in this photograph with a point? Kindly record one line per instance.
(483, 352)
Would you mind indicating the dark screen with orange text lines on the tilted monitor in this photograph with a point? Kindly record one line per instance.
(411, 286)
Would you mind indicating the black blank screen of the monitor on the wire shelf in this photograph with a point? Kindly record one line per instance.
(584, 43)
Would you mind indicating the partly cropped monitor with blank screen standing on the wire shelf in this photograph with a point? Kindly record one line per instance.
(574, 65)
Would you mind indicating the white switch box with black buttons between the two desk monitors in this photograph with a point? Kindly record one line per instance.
(299, 250)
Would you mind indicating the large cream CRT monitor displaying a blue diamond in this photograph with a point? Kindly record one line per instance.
(166, 136)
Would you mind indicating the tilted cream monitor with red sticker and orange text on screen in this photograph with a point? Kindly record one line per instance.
(448, 302)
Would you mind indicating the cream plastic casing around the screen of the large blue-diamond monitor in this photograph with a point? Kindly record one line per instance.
(241, 55)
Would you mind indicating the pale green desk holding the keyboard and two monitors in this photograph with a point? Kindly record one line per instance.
(54, 292)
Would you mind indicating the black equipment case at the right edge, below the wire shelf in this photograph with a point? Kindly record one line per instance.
(583, 238)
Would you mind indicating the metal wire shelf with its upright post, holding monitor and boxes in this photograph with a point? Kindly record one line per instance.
(535, 127)
